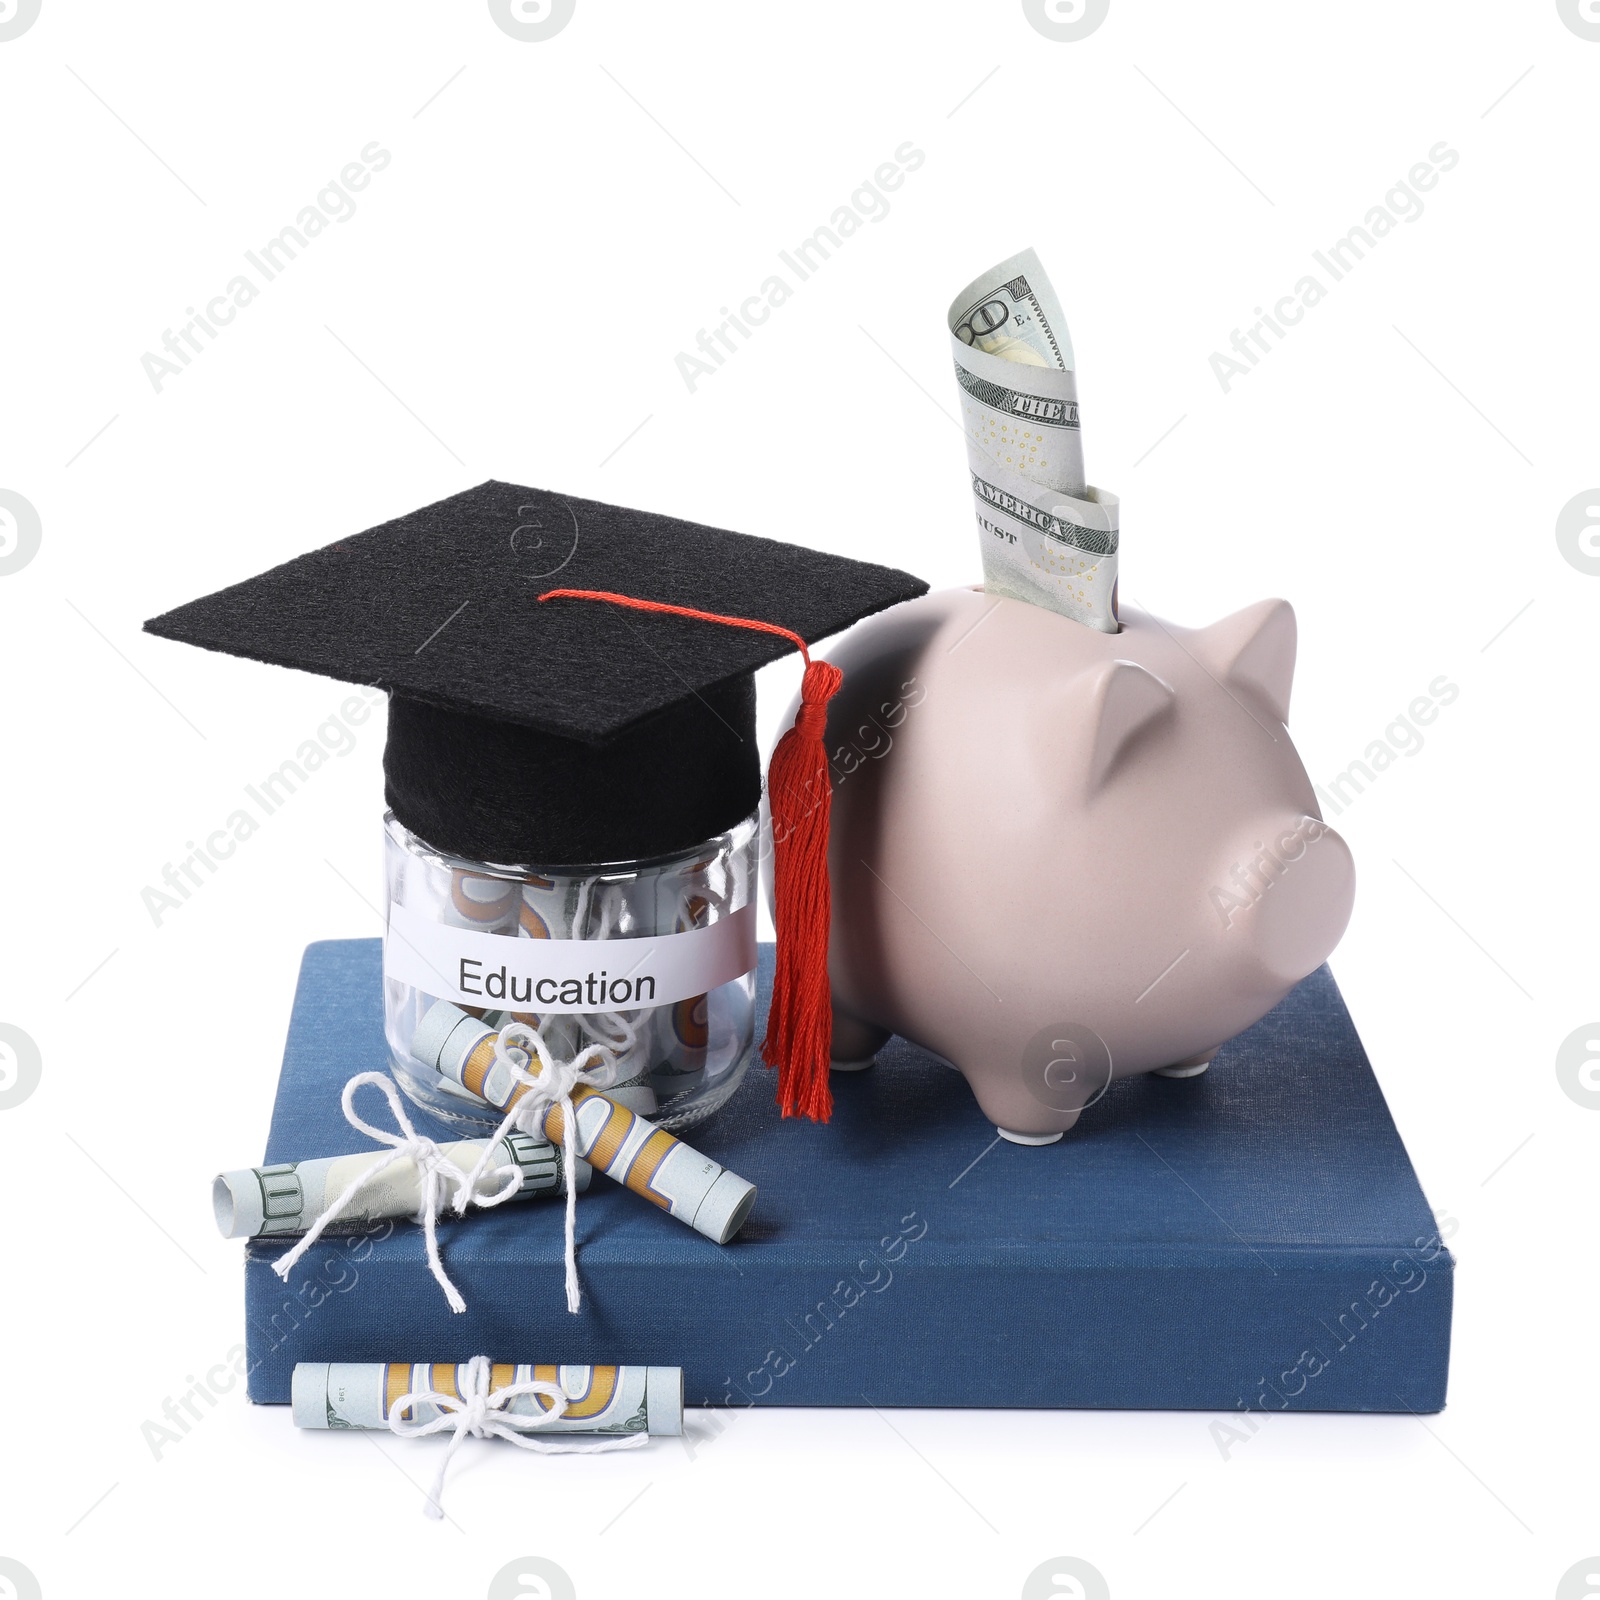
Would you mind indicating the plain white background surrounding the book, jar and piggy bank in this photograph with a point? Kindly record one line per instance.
(556, 225)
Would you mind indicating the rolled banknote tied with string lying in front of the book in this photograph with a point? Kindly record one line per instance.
(599, 1399)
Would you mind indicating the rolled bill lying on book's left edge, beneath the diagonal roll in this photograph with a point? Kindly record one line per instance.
(263, 1202)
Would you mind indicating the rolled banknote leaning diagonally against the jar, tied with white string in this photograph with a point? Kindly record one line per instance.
(623, 1145)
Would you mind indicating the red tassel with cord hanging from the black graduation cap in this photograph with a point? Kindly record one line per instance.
(799, 793)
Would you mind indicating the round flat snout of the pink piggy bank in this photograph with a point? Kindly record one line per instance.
(1290, 895)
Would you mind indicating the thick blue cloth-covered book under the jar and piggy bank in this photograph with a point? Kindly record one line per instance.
(1249, 1239)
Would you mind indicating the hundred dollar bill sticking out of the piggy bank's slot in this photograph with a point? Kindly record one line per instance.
(1047, 537)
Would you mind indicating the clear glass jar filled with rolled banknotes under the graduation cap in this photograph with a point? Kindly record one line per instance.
(454, 930)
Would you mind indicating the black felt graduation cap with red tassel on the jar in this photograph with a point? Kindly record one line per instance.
(574, 684)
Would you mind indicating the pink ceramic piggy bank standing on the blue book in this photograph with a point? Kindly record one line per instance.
(1062, 857)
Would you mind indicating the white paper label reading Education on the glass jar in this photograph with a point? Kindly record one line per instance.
(497, 970)
